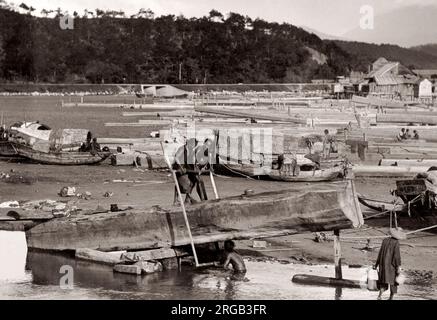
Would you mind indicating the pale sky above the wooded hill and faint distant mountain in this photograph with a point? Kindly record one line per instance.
(334, 17)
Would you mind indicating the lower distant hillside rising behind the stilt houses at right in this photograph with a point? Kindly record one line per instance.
(366, 53)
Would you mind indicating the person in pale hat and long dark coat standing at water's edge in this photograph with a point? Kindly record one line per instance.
(389, 263)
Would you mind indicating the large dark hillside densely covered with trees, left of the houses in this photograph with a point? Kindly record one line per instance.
(166, 49)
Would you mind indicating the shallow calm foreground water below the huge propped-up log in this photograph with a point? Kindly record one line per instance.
(30, 275)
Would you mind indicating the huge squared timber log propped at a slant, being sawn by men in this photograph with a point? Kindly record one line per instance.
(320, 207)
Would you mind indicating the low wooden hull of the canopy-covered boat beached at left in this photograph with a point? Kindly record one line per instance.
(61, 158)
